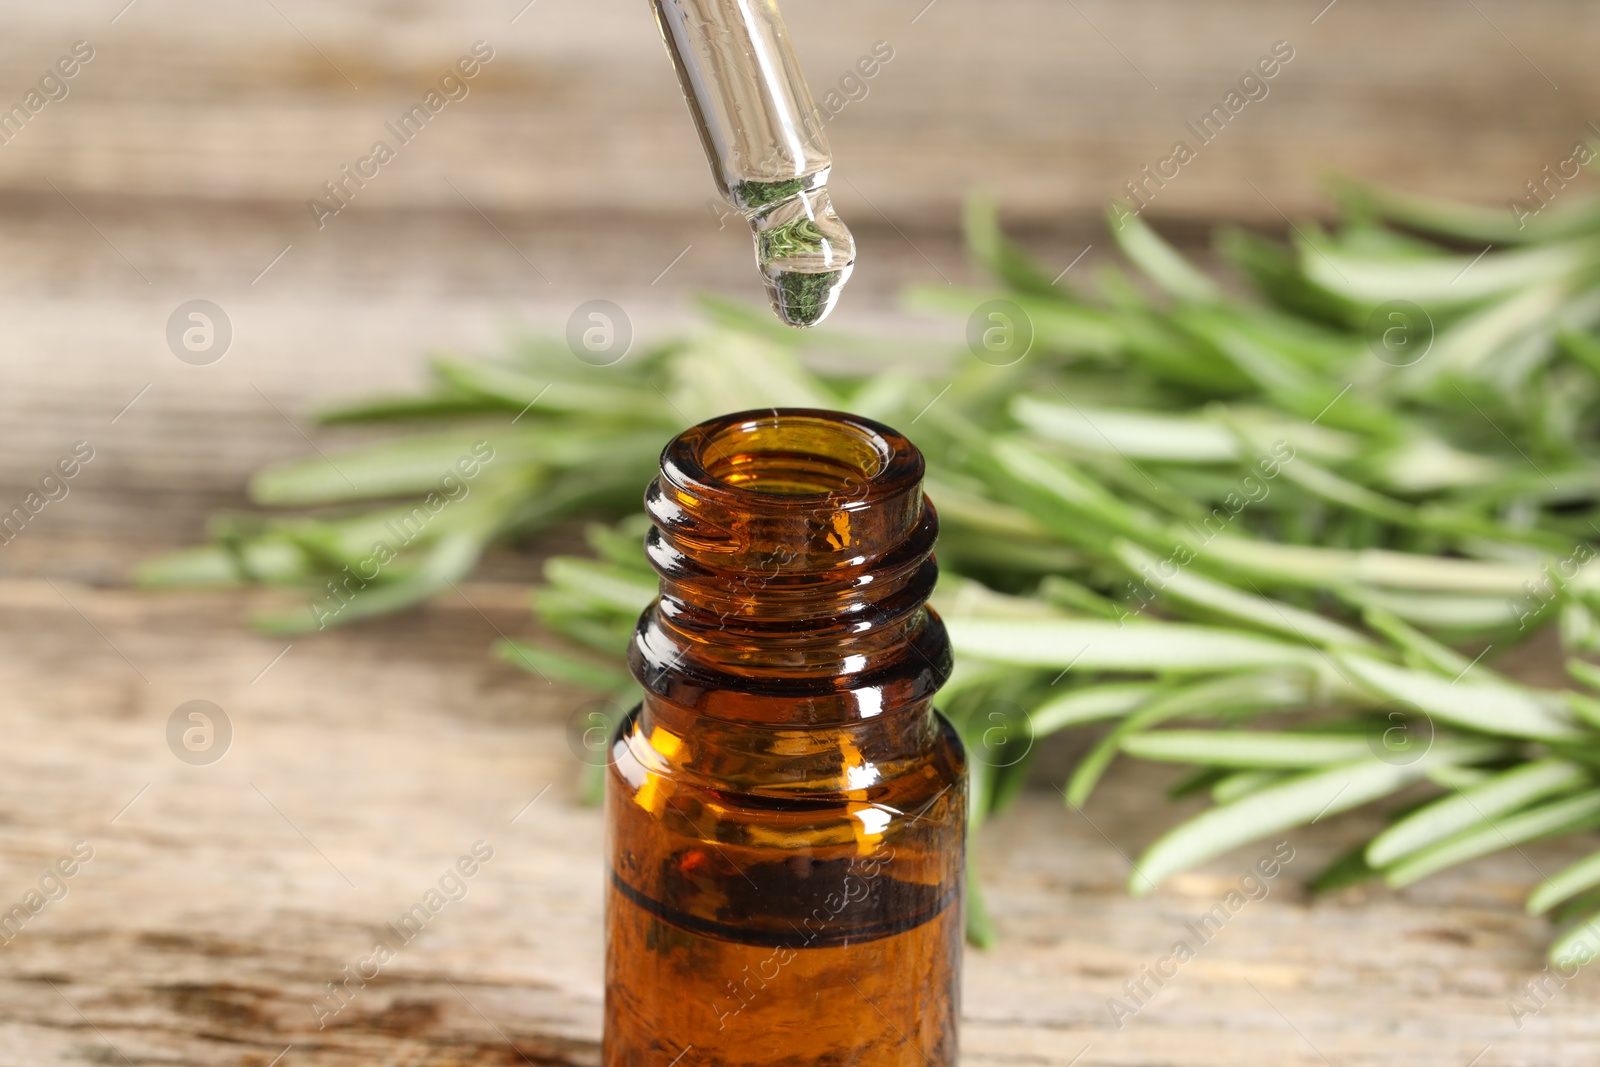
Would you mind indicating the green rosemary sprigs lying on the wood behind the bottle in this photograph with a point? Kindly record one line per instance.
(1265, 537)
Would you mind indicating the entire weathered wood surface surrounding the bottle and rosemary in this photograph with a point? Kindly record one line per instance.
(178, 166)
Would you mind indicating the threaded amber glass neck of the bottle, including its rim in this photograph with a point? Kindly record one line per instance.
(796, 559)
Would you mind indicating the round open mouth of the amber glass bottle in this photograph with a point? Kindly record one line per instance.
(796, 455)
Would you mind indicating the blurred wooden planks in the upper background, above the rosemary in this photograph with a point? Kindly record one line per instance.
(183, 159)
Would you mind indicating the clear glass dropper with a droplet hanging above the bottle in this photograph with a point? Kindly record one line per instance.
(766, 145)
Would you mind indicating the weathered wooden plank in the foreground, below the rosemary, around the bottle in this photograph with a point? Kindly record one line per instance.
(223, 898)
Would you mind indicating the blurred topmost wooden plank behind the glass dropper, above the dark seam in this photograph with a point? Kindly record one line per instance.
(1052, 105)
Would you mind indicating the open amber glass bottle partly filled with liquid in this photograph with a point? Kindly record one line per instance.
(786, 812)
